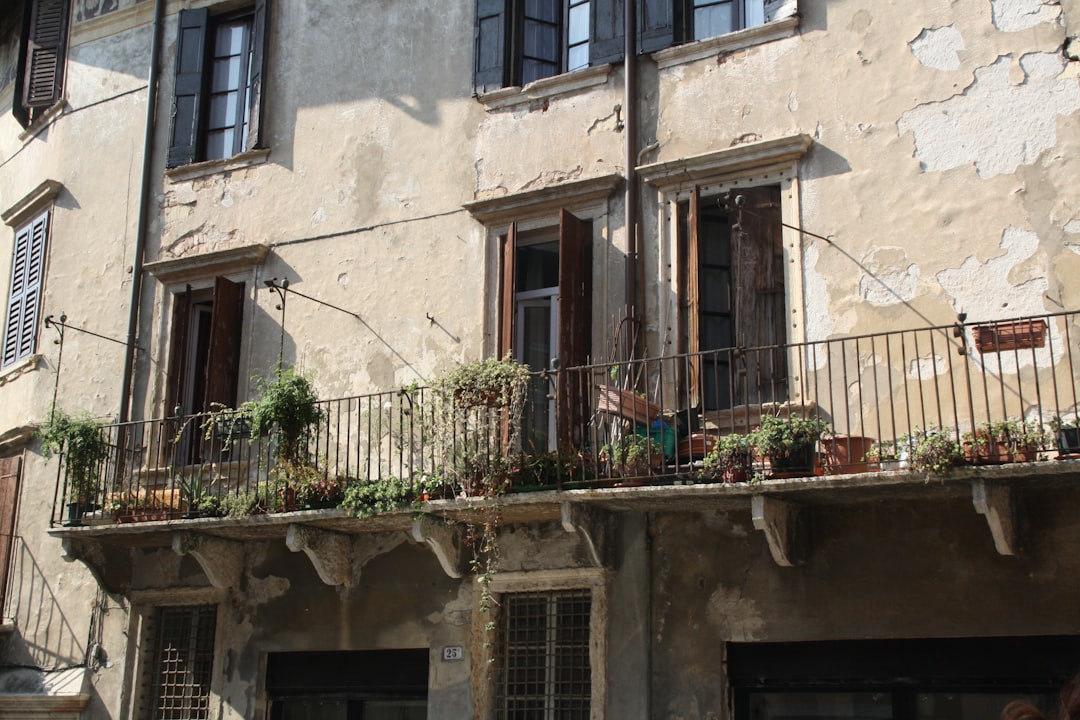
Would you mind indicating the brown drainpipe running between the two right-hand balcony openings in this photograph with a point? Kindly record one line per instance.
(630, 103)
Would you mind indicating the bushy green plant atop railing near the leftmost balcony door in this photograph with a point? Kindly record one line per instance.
(288, 401)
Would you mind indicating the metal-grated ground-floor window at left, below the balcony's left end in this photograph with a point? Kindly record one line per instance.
(184, 663)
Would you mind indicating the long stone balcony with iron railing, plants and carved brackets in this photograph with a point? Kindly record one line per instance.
(994, 404)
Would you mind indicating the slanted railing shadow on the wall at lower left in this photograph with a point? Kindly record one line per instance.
(33, 605)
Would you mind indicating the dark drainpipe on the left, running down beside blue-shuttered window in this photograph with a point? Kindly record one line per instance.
(141, 233)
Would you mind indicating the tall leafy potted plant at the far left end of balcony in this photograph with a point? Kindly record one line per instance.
(85, 447)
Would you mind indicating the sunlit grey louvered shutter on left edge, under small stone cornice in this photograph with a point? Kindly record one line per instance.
(28, 274)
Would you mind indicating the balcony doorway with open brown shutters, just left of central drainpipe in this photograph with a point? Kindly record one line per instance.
(546, 316)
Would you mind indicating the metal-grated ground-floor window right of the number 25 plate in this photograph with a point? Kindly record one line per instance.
(544, 661)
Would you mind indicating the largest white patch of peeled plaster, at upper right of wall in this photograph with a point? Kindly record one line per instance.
(995, 125)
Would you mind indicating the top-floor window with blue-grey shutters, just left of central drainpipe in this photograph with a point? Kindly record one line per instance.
(520, 42)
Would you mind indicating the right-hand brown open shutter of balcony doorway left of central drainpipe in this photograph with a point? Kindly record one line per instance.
(575, 327)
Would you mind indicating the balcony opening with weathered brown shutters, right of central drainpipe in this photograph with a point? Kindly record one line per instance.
(732, 295)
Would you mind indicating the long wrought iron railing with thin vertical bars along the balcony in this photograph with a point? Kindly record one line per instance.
(887, 388)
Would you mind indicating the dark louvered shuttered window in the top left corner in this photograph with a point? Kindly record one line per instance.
(40, 78)
